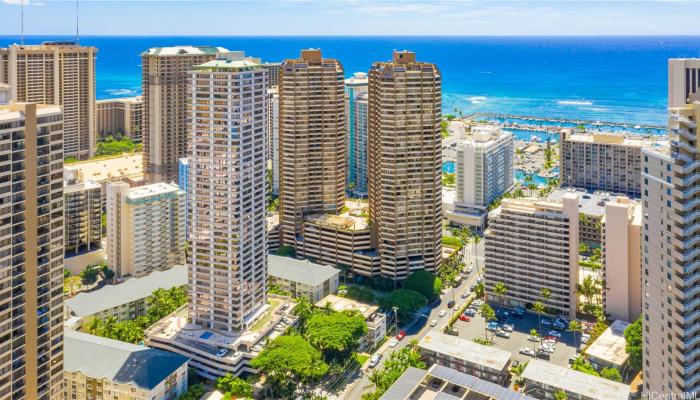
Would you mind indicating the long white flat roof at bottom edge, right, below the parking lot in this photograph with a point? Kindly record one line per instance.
(573, 381)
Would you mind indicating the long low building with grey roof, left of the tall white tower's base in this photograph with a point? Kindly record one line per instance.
(123, 301)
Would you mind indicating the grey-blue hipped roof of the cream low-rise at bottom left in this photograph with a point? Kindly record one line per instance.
(120, 362)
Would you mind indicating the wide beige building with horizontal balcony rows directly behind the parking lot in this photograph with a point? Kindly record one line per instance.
(533, 244)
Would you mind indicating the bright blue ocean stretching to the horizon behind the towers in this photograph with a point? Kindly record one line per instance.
(597, 78)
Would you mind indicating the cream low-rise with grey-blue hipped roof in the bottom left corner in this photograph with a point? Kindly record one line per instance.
(99, 368)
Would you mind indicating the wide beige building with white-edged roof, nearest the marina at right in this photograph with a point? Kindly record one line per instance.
(605, 162)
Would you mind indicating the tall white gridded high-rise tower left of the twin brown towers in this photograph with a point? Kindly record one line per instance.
(228, 240)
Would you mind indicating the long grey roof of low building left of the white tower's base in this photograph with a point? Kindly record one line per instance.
(110, 296)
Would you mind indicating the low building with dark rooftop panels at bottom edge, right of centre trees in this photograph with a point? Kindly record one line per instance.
(440, 382)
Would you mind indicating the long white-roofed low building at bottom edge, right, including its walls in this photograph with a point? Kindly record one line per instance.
(543, 379)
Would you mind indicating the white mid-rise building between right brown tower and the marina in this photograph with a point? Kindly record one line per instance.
(484, 172)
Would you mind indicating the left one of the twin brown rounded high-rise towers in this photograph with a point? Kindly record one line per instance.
(312, 140)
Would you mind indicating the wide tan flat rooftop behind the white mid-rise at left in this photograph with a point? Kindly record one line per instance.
(104, 169)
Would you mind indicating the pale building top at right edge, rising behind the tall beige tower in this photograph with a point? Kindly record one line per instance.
(683, 80)
